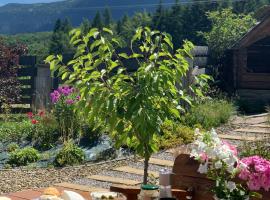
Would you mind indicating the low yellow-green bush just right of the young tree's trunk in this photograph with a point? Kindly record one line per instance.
(175, 134)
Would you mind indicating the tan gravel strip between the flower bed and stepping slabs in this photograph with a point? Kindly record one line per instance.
(21, 179)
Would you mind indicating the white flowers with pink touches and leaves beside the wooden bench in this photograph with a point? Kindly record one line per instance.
(220, 163)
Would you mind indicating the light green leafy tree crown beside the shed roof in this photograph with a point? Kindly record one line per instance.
(227, 28)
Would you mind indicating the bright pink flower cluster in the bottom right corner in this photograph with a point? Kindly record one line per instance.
(257, 173)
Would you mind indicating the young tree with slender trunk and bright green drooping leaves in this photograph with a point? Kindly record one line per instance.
(132, 105)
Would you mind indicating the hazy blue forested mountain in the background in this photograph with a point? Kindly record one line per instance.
(20, 18)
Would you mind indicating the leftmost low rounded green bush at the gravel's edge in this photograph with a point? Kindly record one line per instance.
(23, 157)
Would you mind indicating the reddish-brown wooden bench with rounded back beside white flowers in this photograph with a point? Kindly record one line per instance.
(186, 182)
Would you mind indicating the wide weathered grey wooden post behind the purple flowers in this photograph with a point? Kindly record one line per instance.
(43, 87)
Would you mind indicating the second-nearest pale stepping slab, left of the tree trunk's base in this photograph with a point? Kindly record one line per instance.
(116, 180)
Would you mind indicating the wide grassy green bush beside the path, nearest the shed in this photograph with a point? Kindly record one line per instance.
(209, 114)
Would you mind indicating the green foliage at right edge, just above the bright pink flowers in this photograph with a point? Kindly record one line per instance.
(258, 148)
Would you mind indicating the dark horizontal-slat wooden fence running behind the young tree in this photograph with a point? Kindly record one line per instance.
(37, 83)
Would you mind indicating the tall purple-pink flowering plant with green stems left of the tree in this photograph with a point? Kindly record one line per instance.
(63, 100)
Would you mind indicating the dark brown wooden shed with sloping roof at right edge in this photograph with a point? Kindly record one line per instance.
(248, 72)
